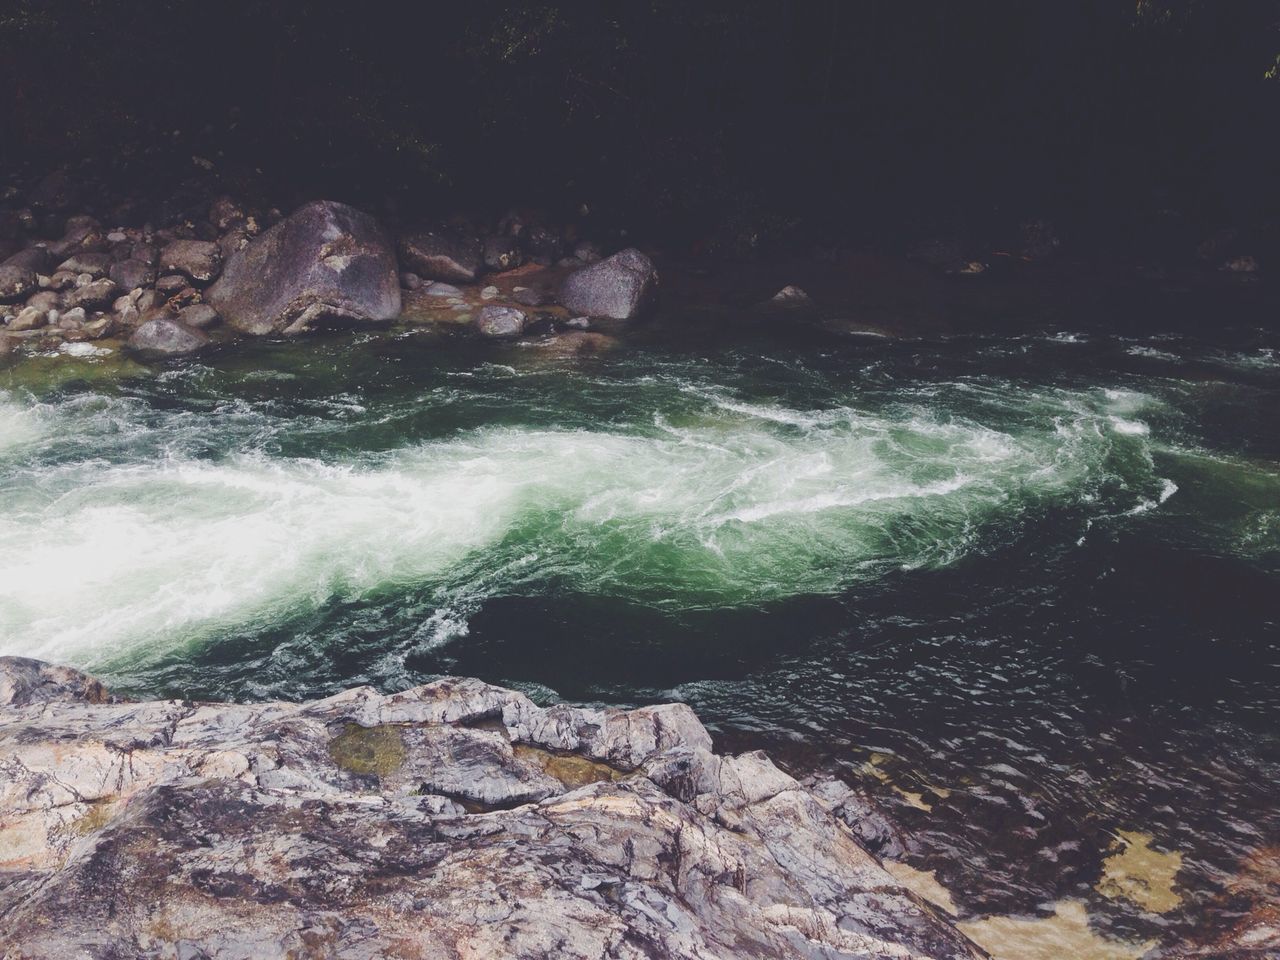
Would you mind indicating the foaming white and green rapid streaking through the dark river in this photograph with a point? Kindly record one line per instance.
(134, 528)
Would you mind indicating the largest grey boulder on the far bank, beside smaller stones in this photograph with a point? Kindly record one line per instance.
(326, 264)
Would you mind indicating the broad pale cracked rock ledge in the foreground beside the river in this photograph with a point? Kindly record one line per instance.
(456, 820)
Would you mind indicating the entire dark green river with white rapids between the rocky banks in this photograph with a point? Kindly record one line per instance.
(1022, 589)
